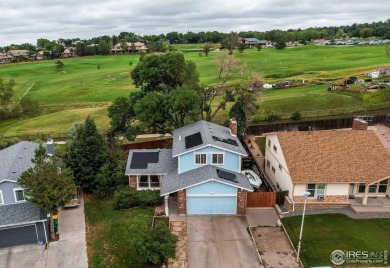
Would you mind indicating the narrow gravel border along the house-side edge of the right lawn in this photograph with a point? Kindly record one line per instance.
(347, 211)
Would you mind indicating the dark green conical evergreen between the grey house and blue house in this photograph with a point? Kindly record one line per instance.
(86, 153)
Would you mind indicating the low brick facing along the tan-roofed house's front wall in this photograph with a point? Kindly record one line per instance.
(328, 202)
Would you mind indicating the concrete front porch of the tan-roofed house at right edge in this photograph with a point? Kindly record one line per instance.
(374, 204)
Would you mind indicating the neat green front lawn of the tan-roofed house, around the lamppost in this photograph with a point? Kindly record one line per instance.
(323, 234)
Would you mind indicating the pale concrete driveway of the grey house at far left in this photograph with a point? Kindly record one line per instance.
(69, 251)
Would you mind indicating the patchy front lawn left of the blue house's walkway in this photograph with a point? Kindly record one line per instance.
(110, 233)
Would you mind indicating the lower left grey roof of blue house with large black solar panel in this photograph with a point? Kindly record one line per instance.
(150, 161)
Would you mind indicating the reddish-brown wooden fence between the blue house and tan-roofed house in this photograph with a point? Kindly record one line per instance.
(265, 199)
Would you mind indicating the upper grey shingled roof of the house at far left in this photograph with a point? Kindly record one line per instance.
(16, 159)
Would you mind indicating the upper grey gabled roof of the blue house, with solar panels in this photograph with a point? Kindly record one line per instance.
(205, 134)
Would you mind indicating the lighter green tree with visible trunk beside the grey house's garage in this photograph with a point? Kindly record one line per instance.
(45, 186)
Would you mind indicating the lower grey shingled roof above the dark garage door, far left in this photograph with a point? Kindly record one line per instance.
(20, 213)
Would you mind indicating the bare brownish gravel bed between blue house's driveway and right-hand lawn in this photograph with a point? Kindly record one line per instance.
(274, 247)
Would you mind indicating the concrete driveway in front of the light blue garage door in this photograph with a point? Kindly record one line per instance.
(220, 241)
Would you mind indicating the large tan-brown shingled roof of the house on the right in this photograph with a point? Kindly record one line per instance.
(345, 156)
